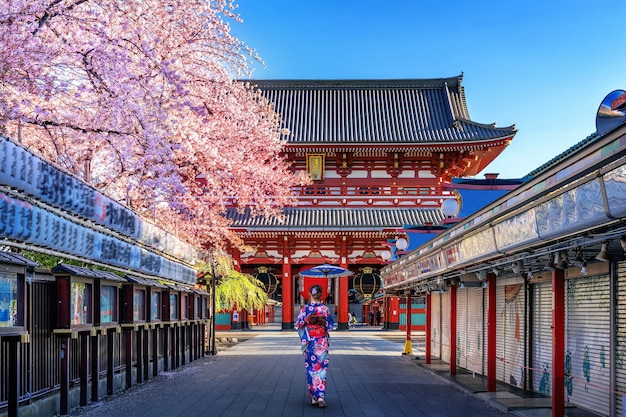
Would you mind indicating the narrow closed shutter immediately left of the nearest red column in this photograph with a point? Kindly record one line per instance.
(541, 347)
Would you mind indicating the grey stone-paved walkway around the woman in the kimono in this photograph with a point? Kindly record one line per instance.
(263, 375)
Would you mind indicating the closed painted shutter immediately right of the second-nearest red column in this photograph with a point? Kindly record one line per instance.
(510, 334)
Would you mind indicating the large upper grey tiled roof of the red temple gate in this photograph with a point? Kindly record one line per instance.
(376, 111)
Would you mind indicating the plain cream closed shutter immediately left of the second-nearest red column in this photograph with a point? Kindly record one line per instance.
(475, 344)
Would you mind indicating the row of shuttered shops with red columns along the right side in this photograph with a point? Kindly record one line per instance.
(529, 290)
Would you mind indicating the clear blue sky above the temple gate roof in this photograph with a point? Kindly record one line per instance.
(542, 65)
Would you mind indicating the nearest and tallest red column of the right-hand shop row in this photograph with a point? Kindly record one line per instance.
(558, 342)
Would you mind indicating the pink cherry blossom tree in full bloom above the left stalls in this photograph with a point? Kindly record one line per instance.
(141, 99)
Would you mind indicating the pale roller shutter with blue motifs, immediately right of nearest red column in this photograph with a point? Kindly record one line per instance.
(587, 336)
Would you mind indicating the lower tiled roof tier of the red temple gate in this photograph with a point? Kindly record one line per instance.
(316, 219)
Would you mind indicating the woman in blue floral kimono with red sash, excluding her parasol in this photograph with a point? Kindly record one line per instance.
(313, 324)
